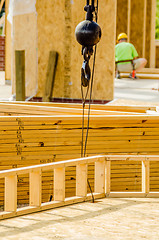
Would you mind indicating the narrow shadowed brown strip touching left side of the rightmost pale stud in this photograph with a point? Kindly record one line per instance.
(148, 32)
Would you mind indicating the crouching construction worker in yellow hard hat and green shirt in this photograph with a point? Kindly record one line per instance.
(125, 51)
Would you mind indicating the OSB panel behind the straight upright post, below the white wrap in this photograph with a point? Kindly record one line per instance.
(25, 38)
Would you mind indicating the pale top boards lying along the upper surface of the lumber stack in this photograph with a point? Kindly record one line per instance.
(36, 108)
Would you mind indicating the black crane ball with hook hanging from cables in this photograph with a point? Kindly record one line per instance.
(88, 34)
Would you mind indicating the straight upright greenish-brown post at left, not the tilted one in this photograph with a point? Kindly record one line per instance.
(20, 75)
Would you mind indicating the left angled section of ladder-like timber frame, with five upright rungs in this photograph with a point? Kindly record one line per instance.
(35, 192)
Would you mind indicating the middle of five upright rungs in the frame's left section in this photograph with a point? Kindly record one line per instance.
(59, 184)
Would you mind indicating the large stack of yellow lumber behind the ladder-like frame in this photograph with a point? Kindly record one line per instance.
(34, 133)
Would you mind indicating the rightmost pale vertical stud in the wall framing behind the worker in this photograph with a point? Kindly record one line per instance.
(152, 44)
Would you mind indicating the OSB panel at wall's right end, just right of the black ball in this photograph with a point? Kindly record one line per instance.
(105, 61)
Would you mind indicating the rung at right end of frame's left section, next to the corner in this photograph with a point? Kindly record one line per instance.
(100, 176)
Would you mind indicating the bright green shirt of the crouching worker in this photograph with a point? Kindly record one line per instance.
(125, 51)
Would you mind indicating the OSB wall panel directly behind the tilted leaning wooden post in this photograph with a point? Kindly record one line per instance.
(50, 37)
